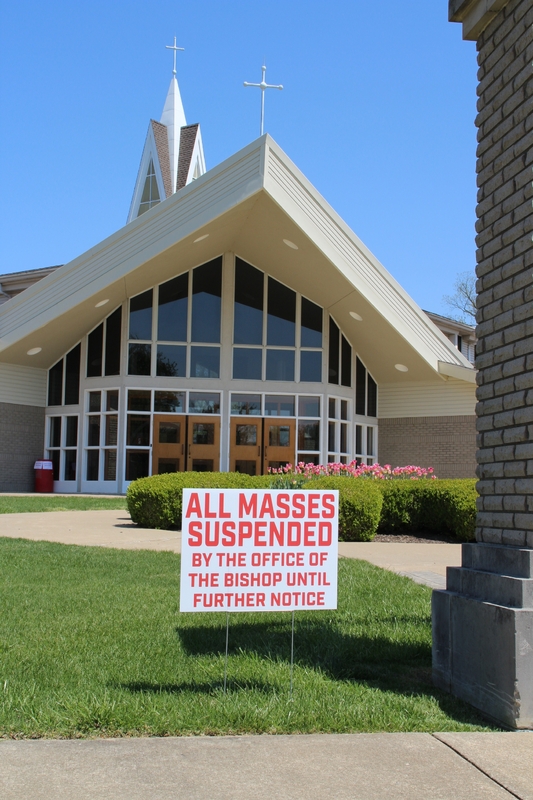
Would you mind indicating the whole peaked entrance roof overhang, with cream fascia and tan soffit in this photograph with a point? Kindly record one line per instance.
(249, 205)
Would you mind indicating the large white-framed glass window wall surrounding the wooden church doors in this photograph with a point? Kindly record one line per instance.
(174, 330)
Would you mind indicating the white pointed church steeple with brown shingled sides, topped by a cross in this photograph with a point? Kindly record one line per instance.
(173, 154)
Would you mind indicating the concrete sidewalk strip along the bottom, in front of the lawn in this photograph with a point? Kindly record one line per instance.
(395, 766)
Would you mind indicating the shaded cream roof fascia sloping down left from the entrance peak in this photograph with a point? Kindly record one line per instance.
(224, 187)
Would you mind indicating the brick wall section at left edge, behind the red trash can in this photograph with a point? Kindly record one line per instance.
(21, 444)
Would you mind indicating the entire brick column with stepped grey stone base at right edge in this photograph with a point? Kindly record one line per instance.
(483, 621)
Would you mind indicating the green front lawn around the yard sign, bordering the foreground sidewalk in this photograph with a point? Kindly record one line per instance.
(92, 644)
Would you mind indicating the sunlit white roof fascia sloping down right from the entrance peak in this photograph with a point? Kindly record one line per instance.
(291, 190)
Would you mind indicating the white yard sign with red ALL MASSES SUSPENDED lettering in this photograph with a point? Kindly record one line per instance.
(259, 550)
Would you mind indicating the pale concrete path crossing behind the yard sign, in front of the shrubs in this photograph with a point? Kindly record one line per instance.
(424, 563)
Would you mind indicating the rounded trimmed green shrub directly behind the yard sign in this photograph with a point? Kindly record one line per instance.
(156, 502)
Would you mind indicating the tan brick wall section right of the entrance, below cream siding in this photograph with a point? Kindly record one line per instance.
(448, 444)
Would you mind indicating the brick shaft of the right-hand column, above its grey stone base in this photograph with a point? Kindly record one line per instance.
(505, 281)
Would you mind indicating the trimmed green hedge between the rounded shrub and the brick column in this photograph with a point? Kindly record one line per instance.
(440, 506)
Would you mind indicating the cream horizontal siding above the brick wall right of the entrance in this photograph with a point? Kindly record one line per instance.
(450, 398)
